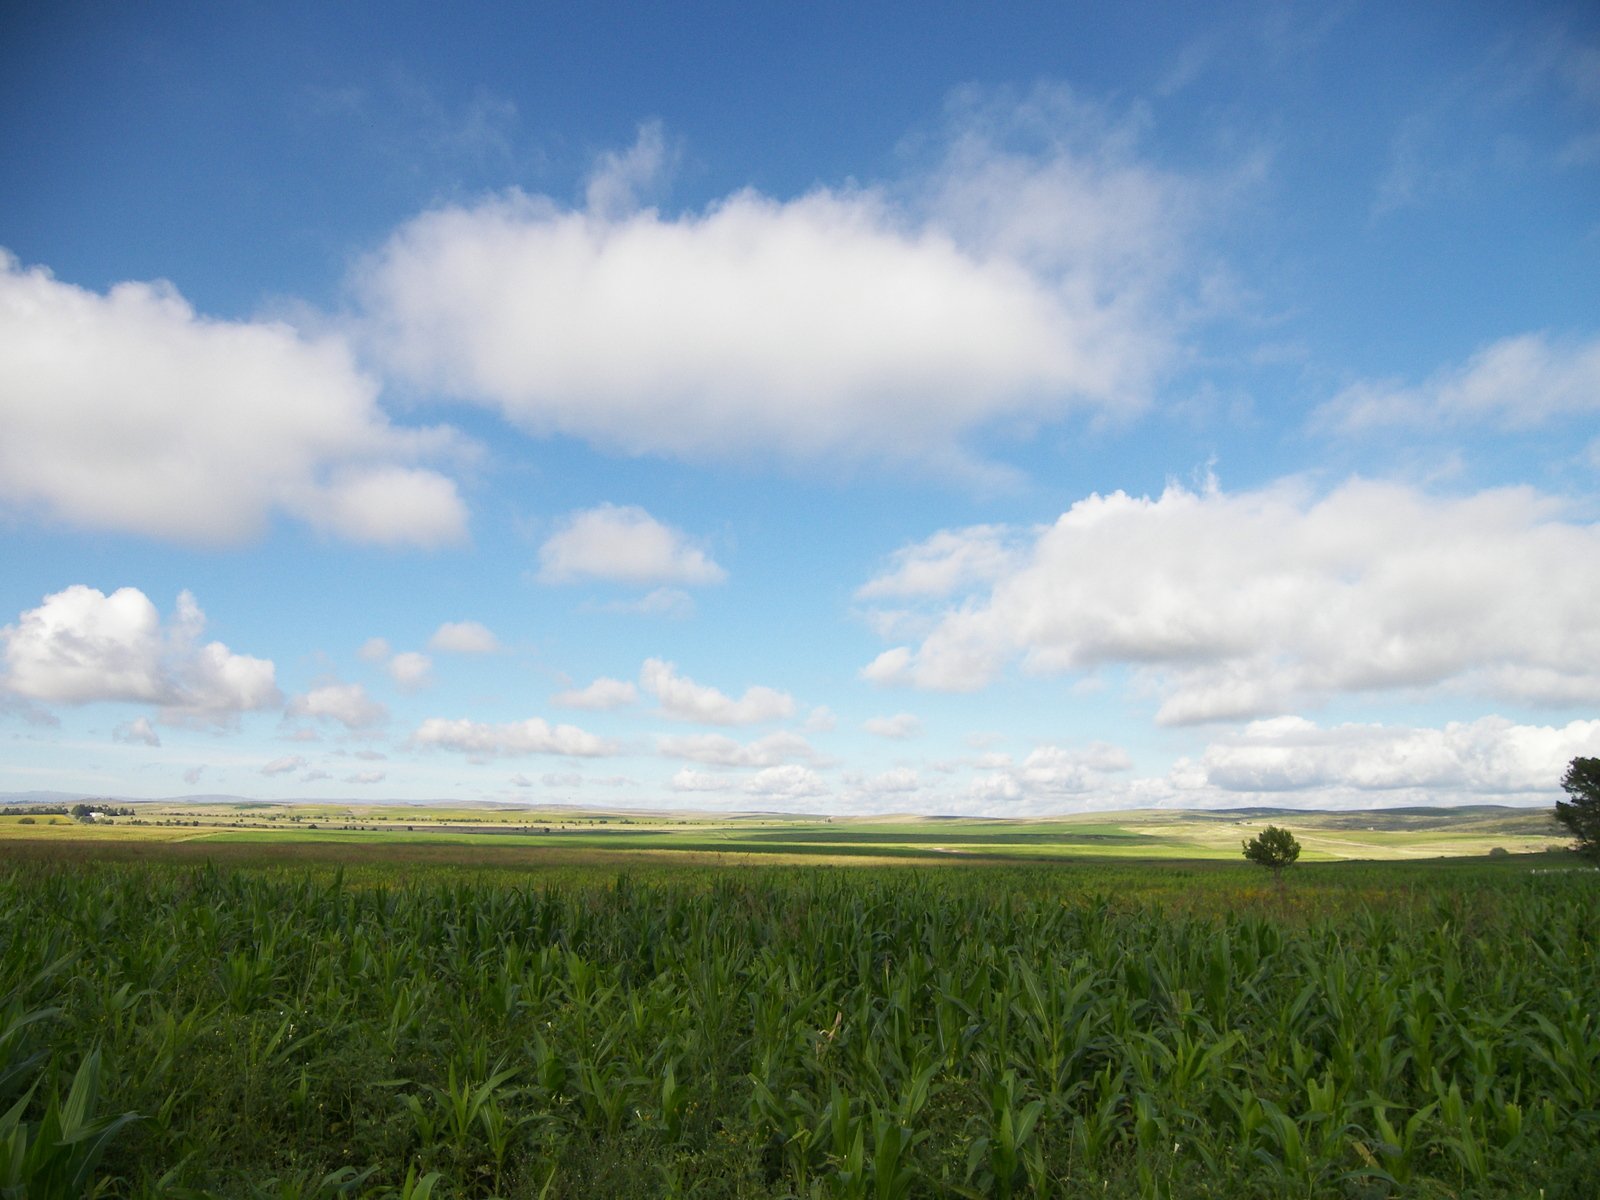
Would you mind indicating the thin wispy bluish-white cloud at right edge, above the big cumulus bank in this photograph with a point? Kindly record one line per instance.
(1516, 383)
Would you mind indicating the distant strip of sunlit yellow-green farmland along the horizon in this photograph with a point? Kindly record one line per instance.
(516, 836)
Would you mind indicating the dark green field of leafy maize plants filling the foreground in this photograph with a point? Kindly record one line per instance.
(1153, 1030)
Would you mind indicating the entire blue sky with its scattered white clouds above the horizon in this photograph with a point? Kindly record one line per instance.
(945, 409)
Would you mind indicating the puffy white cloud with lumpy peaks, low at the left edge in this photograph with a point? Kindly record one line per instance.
(82, 646)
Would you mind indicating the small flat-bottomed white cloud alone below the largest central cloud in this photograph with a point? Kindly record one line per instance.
(623, 545)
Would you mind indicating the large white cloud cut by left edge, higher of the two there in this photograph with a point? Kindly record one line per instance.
(130, 412)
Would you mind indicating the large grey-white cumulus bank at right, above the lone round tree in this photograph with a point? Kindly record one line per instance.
(1252, 604)
